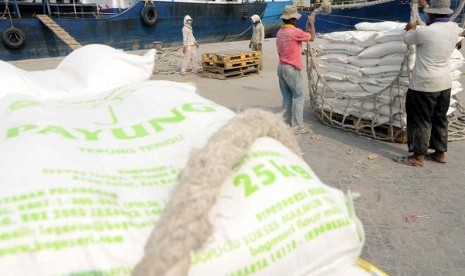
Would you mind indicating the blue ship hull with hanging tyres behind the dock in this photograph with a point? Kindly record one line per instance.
(213, 22)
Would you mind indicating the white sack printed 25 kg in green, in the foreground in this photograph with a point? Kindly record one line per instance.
(256, 222)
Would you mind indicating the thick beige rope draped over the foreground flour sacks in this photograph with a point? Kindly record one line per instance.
(184, 225)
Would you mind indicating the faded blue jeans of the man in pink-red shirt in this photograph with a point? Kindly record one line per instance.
(290, 84)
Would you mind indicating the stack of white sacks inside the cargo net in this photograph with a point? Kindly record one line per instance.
(361, 64)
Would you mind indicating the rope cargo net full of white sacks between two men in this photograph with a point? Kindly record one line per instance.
(358, 81)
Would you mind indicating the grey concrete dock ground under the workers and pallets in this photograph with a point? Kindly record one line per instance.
(433, 244)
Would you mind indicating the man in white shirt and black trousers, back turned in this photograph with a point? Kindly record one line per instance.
(428, 97)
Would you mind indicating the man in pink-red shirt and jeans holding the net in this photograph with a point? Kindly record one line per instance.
(289, 43)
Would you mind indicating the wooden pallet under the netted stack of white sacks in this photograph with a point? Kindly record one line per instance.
(364, 127)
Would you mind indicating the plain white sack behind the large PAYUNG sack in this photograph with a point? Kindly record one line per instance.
(96, 68)
